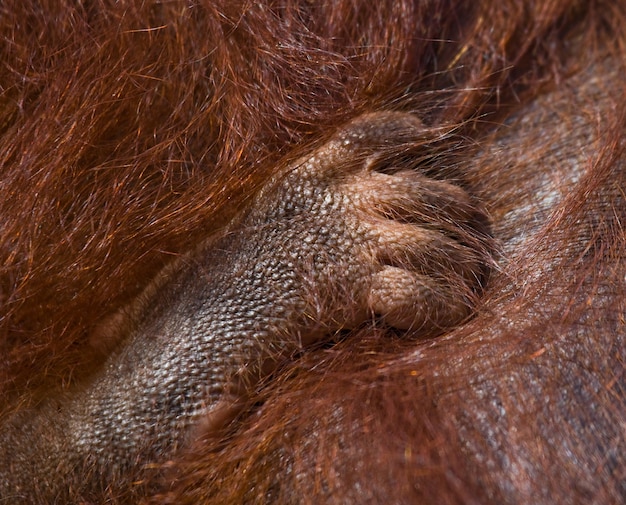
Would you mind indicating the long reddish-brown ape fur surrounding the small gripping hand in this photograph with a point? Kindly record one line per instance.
(130, 132)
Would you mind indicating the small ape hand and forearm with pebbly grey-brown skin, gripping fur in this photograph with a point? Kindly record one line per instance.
(332, 242)
